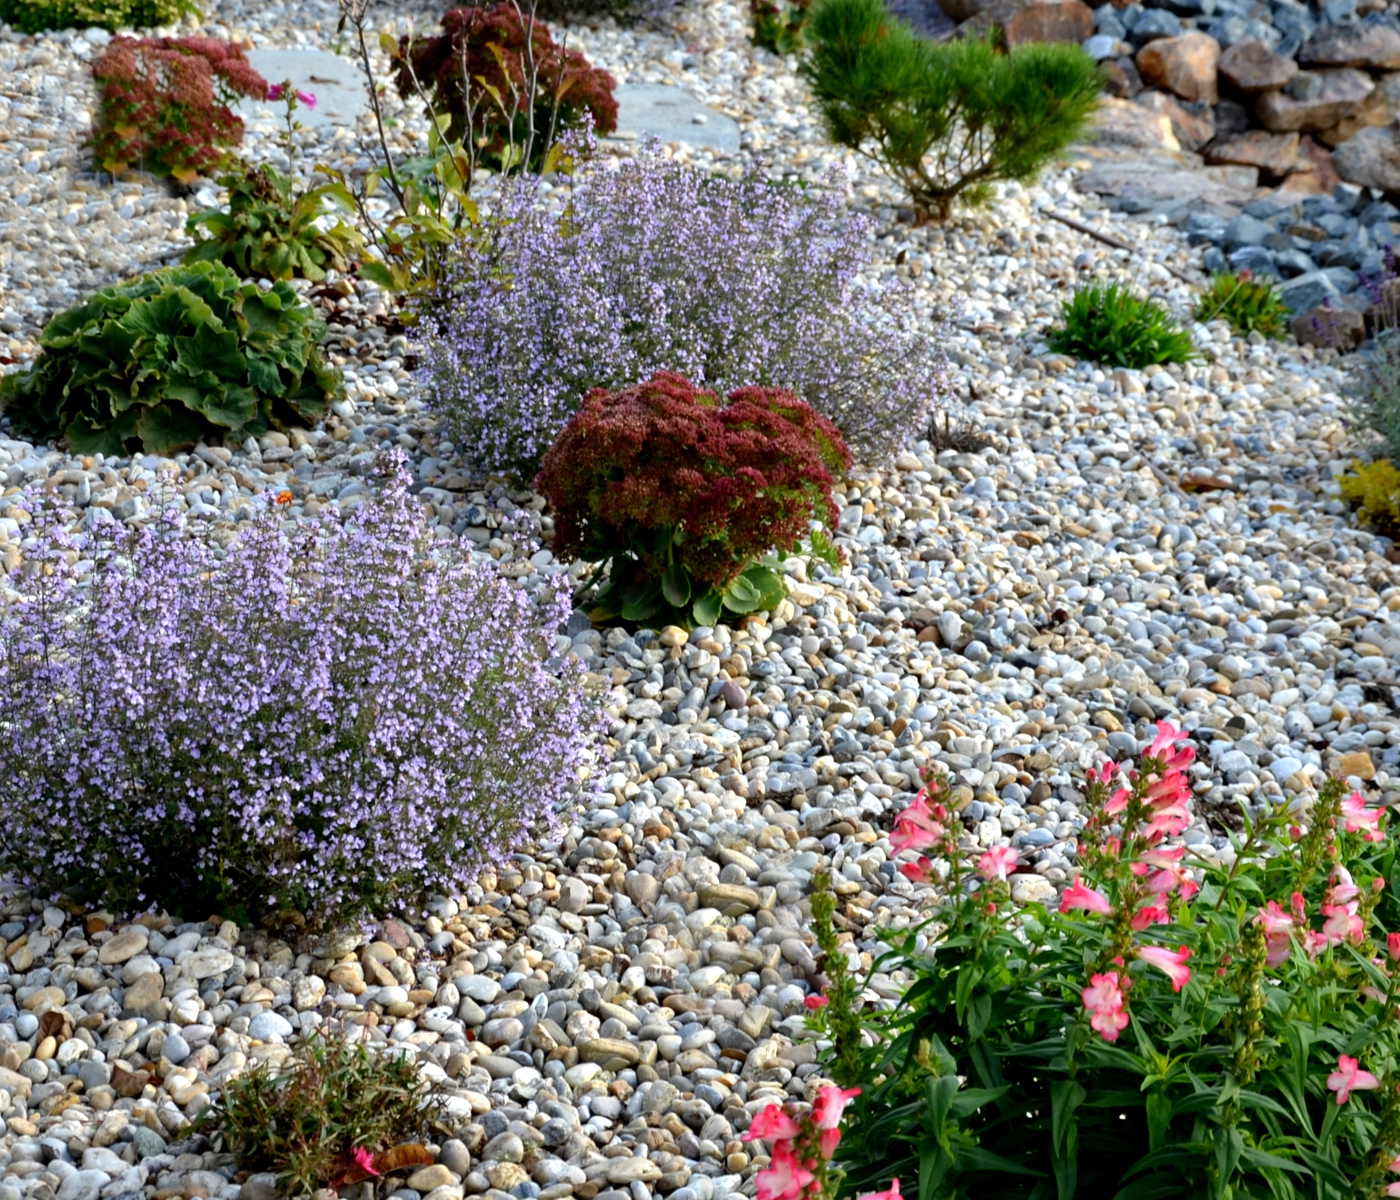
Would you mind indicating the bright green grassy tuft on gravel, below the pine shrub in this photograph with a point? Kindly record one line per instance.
(1105, 323)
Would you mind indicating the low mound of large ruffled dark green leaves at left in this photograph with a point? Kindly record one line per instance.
(173, 358)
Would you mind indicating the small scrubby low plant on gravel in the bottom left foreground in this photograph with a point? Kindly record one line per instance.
(338, 1112)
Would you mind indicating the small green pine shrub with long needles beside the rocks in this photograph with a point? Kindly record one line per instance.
(948, 120)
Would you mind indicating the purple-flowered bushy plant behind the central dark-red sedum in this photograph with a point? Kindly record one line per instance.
(652, 267)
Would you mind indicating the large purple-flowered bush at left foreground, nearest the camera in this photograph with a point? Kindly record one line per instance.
(334, 718)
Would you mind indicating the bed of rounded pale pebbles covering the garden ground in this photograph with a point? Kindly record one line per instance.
(608, 1013)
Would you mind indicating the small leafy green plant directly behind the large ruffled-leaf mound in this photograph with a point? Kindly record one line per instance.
(272, 232)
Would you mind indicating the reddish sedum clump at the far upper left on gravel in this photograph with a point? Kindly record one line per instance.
(166, 104)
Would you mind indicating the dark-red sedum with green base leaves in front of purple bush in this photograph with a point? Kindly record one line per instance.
(684, 496)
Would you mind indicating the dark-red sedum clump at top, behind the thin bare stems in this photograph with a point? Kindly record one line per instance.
(502, 81)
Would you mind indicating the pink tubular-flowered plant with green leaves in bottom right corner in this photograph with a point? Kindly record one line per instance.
(1189, 1020)
